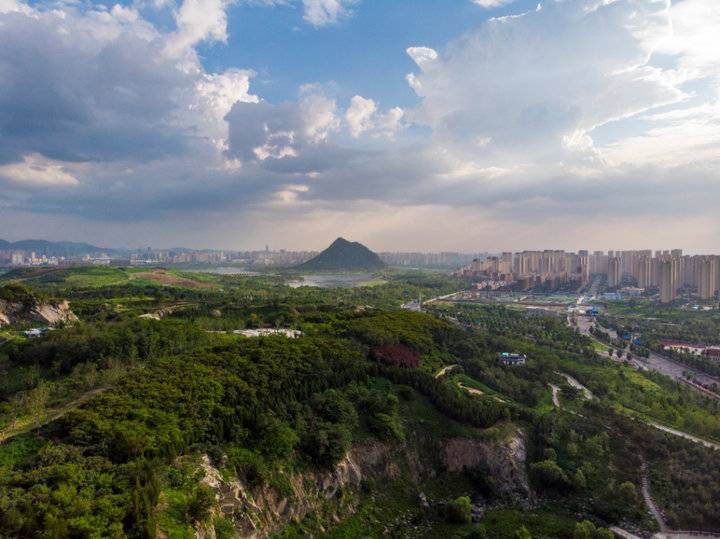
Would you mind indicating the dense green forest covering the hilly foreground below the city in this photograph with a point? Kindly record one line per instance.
(105, 423)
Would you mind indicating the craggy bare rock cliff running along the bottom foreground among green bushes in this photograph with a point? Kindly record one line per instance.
(258, 512)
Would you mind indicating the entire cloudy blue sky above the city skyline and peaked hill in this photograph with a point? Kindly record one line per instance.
(409, 125)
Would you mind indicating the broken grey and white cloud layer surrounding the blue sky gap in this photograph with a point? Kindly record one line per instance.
(586, 109)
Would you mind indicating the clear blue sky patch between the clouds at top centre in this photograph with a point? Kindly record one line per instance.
(364, 54)
